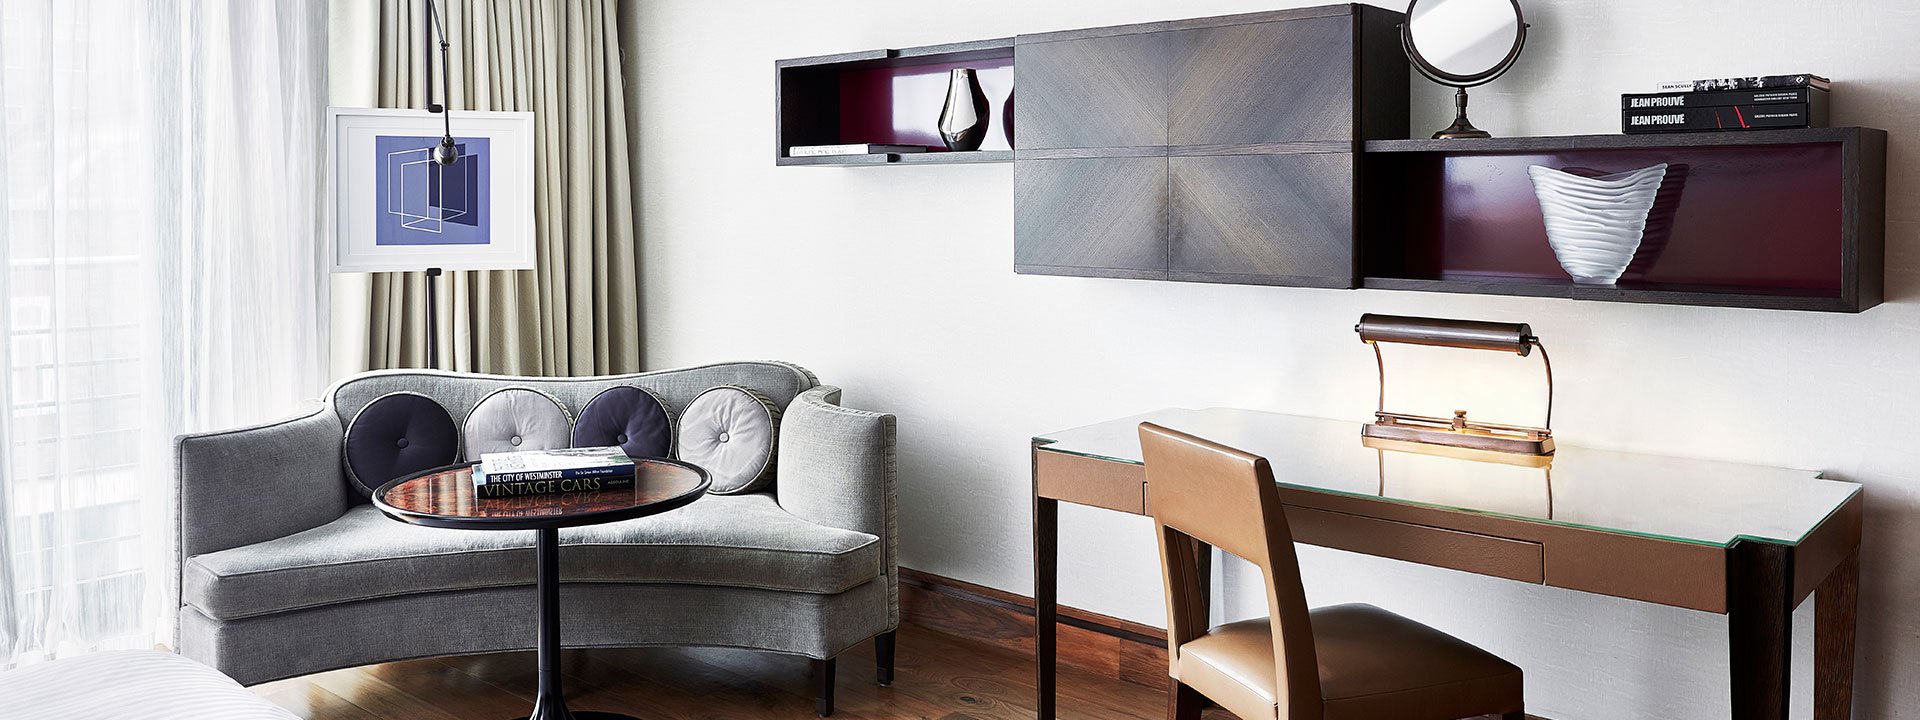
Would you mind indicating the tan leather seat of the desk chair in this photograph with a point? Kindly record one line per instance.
(1374, 665)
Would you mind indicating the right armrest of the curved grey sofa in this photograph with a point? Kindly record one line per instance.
(838, 469)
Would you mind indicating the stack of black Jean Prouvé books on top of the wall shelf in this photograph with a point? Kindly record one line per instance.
(1729, 105)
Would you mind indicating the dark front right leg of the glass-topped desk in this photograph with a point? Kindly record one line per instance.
(1760, 619)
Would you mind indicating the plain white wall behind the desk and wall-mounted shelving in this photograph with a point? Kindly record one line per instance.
(898, 285)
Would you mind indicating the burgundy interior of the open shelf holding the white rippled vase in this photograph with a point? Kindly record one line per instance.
(1731, 218)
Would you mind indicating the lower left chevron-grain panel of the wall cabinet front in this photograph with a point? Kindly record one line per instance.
(1092, 216)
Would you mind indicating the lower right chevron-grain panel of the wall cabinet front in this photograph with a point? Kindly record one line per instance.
(1264, 220)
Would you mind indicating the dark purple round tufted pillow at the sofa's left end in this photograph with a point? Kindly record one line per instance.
(398, 435)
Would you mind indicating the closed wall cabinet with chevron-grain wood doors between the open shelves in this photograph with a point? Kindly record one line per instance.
(1247, 124)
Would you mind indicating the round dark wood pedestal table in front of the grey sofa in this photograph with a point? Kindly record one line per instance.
(446, 498)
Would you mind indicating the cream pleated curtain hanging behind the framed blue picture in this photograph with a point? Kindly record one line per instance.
(579, 310)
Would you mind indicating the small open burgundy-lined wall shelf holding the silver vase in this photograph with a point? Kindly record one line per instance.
(890, 97)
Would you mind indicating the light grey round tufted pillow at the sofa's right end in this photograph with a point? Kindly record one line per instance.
(731, 433)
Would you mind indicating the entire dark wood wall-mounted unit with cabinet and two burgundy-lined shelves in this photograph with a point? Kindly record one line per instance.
(1164, 153)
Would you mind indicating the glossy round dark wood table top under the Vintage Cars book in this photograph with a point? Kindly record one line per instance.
(446, 498)
